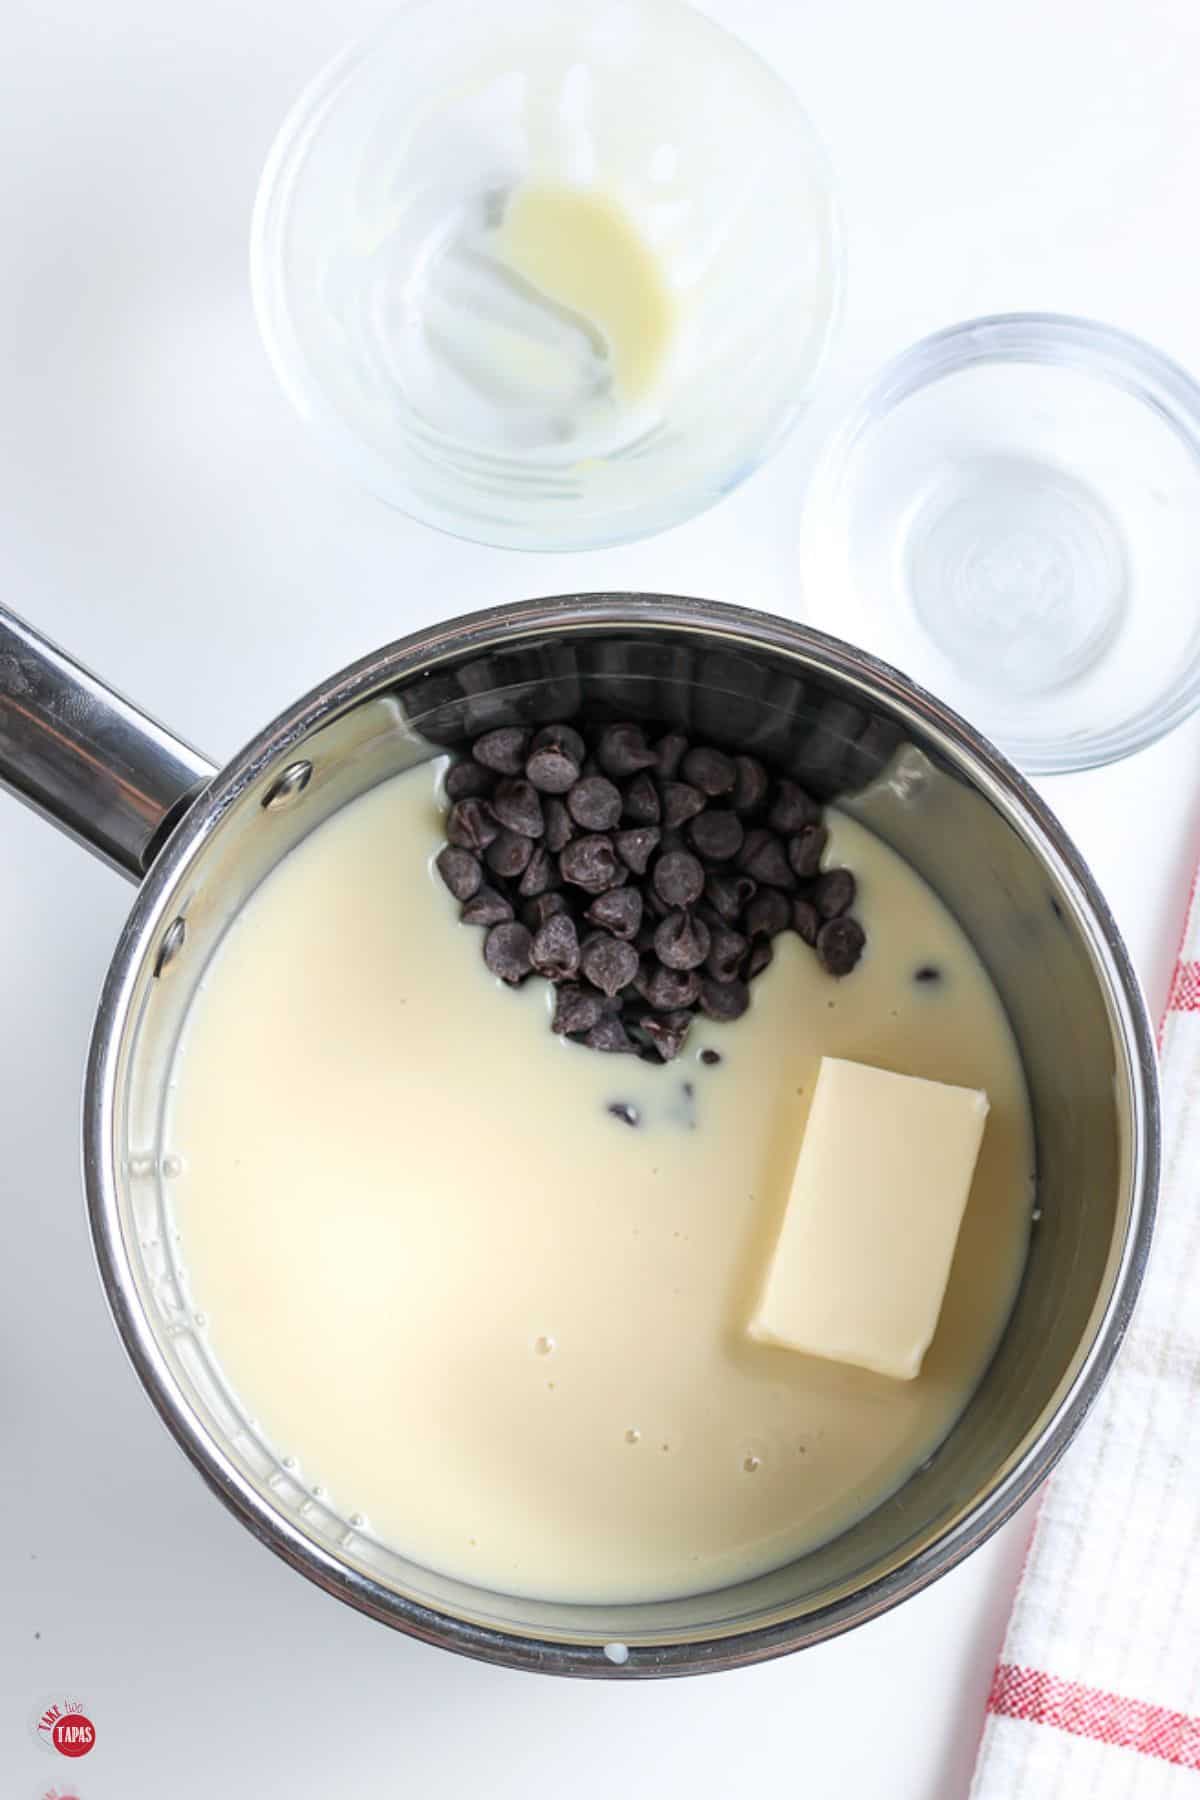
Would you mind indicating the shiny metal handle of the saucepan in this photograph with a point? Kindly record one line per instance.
(87, 759)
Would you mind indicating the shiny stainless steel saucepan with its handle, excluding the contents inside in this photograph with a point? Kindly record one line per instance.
(201, 840)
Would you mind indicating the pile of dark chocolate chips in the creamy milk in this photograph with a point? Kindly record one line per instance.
(645, 879)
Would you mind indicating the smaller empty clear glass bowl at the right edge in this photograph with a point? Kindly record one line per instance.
(1014, 517)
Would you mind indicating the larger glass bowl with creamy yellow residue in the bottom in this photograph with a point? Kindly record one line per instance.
(427, 368)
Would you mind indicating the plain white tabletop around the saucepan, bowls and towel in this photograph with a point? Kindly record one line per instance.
(166, 517)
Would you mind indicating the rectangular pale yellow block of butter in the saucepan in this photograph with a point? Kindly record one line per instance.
(877, 1201)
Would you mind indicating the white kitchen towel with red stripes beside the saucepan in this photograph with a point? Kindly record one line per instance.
(1098, 1687)
